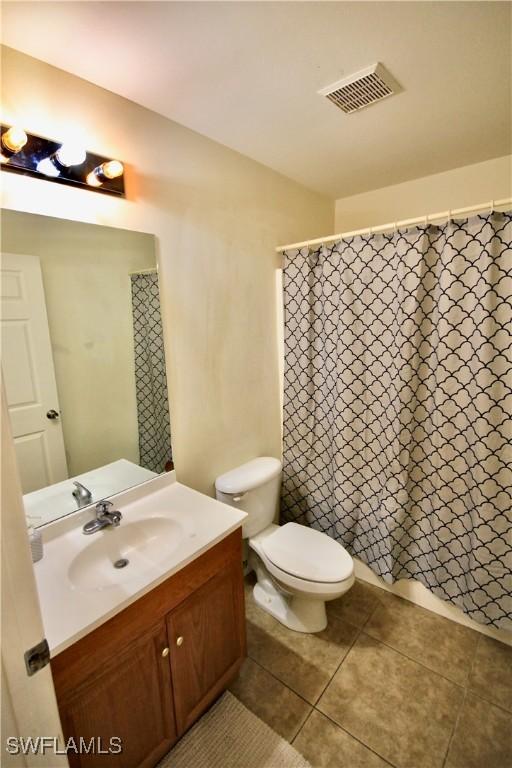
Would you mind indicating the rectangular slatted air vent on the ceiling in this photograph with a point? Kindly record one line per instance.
(361, 89)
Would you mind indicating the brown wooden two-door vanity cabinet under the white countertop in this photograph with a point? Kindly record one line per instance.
(148, 673)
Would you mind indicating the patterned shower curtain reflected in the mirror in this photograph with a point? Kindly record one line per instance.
(150, 377)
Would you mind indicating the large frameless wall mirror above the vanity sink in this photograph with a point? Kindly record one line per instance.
(82, 361)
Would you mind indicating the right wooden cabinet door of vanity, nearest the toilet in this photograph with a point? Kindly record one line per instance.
(207, 641)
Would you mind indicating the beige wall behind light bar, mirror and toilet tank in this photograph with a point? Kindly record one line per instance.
(217, 216)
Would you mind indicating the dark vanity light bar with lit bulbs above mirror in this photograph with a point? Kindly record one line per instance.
(59, 162)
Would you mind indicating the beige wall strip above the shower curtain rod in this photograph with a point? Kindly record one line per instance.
(470, 185)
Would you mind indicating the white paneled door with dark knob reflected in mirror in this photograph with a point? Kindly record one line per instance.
(29, 376)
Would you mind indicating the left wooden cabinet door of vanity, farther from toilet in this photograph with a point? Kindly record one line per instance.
(131, 699)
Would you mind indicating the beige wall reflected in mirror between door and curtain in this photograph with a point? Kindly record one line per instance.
(88, 299)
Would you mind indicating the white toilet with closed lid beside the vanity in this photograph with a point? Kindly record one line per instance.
(297, 568)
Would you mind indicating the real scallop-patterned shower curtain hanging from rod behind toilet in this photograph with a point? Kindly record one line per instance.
(398, 403)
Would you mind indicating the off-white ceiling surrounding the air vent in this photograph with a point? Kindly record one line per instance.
(247, 74)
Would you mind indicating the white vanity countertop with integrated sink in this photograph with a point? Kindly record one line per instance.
(78, 590)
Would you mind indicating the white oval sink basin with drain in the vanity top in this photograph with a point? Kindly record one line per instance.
(143, 544)
